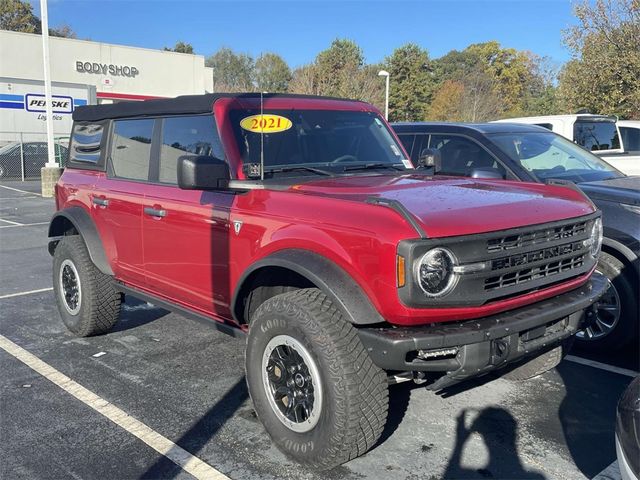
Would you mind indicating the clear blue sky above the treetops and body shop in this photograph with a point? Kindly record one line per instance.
(299, 29)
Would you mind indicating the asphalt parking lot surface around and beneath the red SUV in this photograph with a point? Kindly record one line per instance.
(184, 382)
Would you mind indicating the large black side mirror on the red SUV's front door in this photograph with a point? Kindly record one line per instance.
(199, 172)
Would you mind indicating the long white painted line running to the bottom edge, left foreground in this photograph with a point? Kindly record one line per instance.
(188, 462)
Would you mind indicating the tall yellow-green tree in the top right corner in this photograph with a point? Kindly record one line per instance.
(604, 73)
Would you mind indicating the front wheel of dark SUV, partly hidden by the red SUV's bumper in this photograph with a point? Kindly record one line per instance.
(616, 322)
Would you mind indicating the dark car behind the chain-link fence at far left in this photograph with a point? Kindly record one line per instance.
(34, 154)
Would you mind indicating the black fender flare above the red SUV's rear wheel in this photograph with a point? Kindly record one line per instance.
(81, 221)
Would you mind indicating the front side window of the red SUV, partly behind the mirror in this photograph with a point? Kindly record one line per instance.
(183, 136)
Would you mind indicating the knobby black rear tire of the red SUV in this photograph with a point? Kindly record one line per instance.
(99, 300)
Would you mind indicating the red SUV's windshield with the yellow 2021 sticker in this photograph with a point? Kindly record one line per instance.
(330, 139)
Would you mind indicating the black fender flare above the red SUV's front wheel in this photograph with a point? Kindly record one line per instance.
(337, 284)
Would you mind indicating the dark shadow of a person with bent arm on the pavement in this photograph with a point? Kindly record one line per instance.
(498, 429)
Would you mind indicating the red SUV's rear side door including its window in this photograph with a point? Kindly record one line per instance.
(118, 197)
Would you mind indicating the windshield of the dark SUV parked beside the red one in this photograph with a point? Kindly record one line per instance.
(547, 155)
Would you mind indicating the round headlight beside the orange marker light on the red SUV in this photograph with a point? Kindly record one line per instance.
(434, 272)
